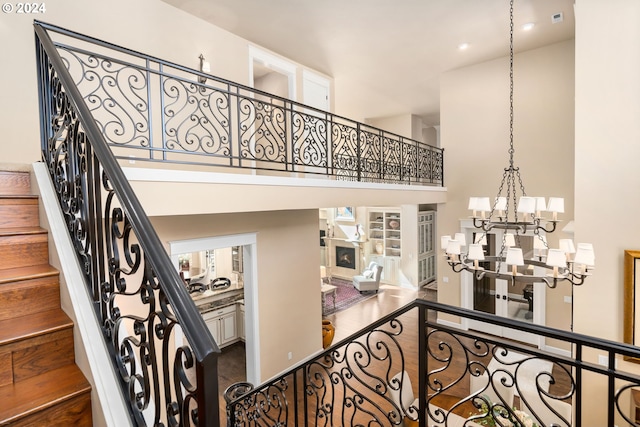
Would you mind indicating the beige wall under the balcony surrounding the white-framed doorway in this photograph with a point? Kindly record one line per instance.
(288, 280)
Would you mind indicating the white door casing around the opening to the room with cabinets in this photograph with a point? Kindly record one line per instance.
(248, 241)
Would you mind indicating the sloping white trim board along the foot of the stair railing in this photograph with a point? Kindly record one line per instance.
(104, 382)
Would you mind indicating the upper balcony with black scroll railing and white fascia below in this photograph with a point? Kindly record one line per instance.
(179, 131)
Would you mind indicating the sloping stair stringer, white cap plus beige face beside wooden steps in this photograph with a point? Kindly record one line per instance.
(92, 357)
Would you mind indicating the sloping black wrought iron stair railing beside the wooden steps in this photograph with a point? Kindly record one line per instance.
(161, 348)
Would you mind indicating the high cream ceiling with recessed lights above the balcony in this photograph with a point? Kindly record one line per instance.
(390, 53)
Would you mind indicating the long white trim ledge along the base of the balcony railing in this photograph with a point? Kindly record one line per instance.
(160, 175)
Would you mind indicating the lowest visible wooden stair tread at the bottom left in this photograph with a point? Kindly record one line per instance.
(41, 392)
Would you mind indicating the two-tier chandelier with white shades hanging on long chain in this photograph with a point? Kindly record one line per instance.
(517, 214)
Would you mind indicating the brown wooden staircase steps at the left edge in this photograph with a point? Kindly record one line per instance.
(40, 385)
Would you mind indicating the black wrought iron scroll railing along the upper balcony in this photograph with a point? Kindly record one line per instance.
(153, 110)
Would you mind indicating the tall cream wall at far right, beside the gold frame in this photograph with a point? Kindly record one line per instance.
(607, 175)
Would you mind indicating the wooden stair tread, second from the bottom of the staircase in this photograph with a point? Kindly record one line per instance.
(32, 325)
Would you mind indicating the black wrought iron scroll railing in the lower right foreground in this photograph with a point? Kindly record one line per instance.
(458, 378)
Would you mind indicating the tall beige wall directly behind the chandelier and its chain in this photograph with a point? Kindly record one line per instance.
(475, 136)
